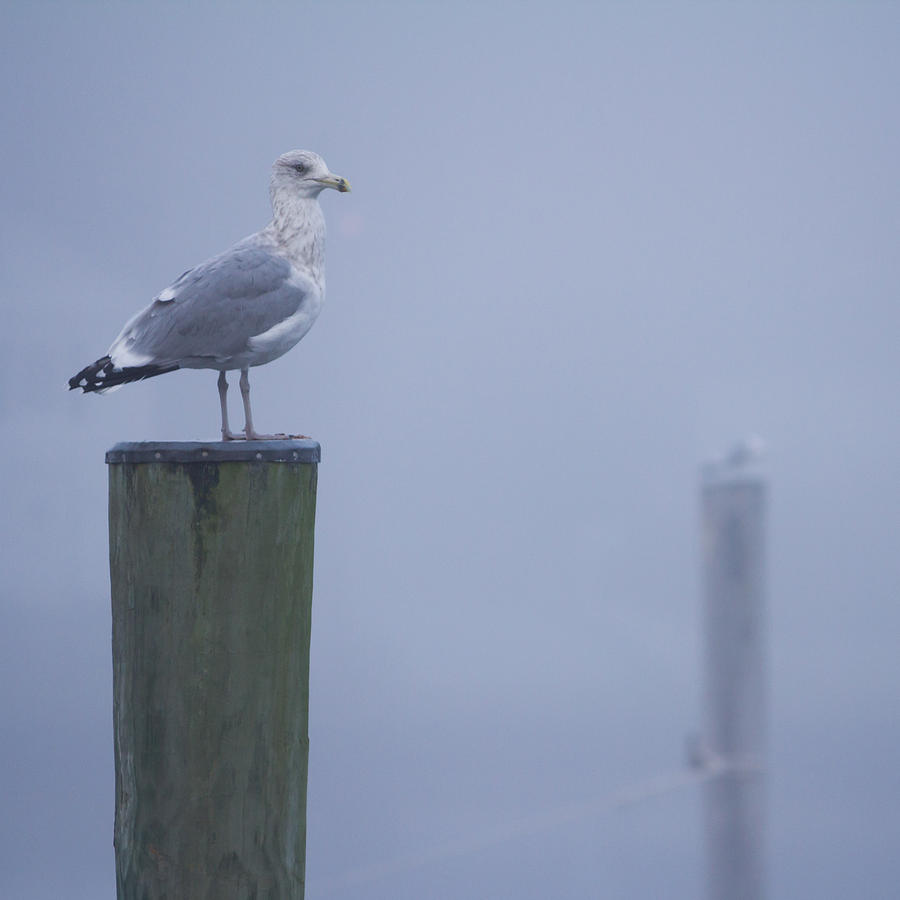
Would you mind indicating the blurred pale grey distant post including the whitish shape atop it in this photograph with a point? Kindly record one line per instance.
(733, 500)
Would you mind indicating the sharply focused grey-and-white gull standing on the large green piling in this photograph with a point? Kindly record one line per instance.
(243, 308)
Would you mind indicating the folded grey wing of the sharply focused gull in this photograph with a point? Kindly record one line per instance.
(212, 310)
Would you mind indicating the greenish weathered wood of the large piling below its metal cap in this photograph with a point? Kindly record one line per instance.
(211, 568)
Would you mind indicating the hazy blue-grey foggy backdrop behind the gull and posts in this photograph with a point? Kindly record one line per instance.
(587, 247)
